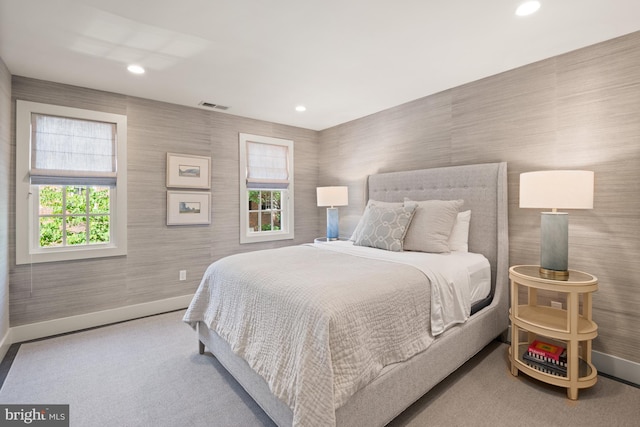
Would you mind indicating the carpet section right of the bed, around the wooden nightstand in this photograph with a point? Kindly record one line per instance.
(484, 393)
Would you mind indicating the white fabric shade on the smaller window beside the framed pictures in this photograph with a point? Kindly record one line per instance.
(267, 165)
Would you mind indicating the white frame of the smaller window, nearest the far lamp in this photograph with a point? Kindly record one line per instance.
(287, 222)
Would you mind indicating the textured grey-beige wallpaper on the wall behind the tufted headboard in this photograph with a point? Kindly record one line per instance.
(580, 110)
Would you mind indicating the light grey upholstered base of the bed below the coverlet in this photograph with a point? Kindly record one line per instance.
(391, 392)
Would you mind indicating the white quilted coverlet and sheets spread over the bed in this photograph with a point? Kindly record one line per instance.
(339, 315)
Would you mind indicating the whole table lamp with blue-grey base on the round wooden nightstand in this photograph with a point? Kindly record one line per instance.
(560, 189)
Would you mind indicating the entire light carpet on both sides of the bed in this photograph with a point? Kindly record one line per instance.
(148, 372)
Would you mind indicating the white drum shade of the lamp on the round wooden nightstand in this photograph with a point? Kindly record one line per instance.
(557, 189)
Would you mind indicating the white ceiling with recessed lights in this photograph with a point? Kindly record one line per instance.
(342, 59)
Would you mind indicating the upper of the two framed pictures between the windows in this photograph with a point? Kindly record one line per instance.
(186, 171)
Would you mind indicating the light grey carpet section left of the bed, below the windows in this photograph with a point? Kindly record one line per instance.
(145, 372)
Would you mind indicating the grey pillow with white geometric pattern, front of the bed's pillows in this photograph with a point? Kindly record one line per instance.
(385, 227)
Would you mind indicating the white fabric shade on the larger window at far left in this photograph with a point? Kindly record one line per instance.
(68, 151)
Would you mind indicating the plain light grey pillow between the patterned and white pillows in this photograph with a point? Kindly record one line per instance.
(431, 226)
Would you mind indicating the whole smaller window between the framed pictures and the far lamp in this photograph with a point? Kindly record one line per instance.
(266, 188)
